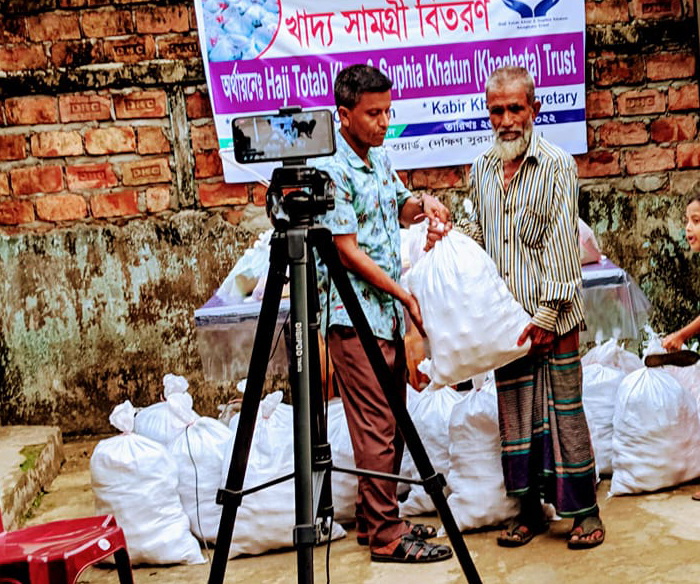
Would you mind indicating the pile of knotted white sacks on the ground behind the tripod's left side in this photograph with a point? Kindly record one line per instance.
(160, 476)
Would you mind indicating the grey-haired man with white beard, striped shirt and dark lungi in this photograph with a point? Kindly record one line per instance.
(525, 194)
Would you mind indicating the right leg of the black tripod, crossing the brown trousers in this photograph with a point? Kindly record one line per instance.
(323, 242)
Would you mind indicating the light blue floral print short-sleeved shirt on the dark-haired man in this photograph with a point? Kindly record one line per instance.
(368, 200)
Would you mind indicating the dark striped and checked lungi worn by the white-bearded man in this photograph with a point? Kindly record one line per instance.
(545, 441)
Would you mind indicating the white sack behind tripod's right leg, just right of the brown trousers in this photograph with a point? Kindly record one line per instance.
(431, 417)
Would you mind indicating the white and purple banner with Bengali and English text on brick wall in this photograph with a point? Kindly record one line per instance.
(260, 55)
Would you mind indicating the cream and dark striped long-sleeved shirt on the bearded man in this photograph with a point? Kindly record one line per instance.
(531, 231)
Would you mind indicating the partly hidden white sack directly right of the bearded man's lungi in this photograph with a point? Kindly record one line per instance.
(600, 385)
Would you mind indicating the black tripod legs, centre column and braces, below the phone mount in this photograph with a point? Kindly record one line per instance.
(293, 246)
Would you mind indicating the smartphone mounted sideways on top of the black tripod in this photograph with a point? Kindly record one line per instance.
(283, 136)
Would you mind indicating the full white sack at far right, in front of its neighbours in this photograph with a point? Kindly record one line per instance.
(656, 434)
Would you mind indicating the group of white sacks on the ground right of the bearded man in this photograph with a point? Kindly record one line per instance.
(644, 421)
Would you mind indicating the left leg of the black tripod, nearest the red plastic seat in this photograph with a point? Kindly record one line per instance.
(229, 497)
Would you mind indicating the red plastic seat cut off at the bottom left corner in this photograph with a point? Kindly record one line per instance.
(57, 552)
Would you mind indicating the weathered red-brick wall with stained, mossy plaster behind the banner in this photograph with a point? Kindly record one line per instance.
(116, 223)
